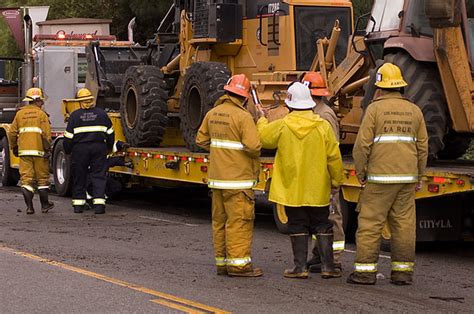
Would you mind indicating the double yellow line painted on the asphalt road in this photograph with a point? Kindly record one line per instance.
(164, 299)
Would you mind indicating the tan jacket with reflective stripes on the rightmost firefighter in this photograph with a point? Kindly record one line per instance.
(392, 143)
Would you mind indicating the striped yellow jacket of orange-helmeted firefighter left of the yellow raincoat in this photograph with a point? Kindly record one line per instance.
(229, 133)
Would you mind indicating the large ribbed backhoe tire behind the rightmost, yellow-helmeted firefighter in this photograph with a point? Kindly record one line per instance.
(426, 91)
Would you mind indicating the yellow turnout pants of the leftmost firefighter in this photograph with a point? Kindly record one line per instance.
(34, 172)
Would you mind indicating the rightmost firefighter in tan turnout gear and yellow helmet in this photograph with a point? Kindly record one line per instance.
(390, 155)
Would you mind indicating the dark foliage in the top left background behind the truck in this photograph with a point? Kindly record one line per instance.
(148, 13)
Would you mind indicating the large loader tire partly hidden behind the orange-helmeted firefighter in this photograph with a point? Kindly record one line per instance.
(203, 85)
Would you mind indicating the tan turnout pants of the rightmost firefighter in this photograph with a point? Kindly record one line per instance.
(395, 204)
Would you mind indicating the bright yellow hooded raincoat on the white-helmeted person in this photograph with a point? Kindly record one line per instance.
(307, 162)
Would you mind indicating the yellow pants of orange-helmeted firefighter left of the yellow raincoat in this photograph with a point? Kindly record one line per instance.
(233, 214)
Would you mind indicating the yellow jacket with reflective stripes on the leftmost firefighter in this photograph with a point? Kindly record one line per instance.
(30, 131)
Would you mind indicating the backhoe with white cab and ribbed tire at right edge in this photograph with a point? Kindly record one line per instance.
(431, 41)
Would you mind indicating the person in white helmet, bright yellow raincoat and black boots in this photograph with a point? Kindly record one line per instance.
(307, 165)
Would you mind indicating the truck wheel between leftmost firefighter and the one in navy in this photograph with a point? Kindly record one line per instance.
(62, 170)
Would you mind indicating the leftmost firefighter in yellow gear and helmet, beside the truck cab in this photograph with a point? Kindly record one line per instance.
(30, 139)
